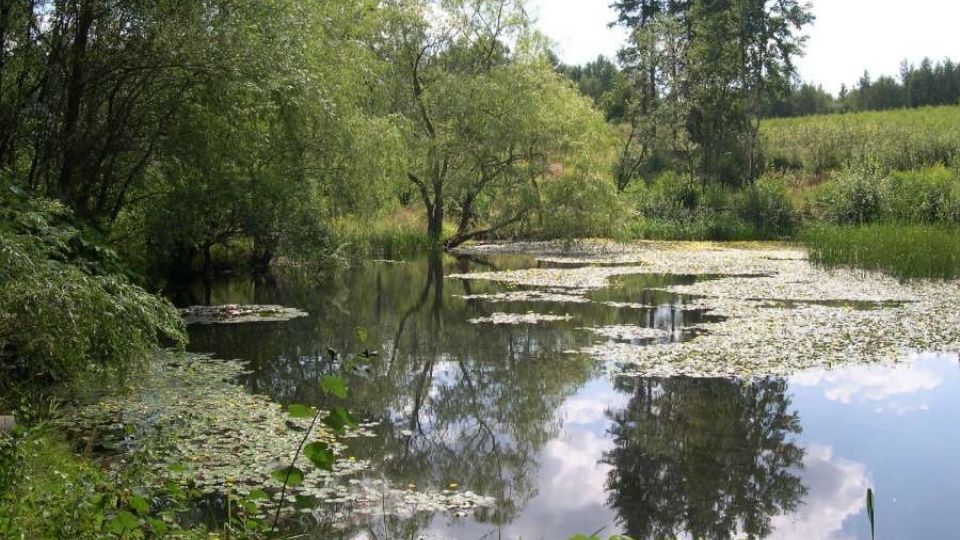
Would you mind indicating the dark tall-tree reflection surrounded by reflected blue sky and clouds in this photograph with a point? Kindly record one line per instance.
(707, 457)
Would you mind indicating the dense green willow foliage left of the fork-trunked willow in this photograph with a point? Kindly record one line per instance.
(267, 151)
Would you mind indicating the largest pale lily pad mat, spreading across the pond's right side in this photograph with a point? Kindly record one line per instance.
(777, 313)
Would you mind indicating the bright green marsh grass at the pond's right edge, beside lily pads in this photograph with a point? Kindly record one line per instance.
(906, 252)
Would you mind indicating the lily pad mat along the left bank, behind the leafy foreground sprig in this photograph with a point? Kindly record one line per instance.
(204, 432)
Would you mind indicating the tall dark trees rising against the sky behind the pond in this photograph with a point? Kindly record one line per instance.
(736, 57)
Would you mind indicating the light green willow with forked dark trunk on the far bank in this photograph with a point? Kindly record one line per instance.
(485, 116)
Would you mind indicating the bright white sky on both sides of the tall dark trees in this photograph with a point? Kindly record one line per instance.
(847, 37)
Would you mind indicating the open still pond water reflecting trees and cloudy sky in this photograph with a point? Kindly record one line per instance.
(509, 411)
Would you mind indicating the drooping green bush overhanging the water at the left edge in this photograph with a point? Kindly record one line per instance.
(66, 309)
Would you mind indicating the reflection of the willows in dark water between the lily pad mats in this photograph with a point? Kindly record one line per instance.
(459, 403)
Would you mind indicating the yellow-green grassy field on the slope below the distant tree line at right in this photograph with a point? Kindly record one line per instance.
(894, 140)
